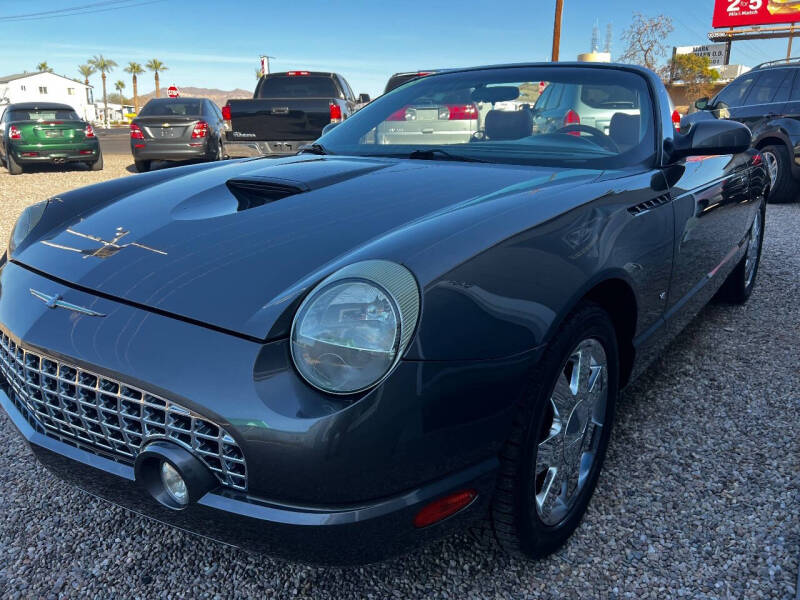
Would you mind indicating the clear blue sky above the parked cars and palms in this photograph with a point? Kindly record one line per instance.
(217, 43)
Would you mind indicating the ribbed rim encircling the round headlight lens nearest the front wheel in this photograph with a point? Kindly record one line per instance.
(391, 279)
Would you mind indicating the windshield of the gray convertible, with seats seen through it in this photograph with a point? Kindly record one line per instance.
(581, 116)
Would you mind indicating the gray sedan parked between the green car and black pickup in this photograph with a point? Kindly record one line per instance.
(176, 129)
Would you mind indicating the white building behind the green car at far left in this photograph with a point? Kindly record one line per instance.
(47, 87)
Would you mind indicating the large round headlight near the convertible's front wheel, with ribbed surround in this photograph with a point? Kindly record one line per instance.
(352, 329)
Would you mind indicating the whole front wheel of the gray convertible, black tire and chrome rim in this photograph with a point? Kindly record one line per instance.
(551, 462)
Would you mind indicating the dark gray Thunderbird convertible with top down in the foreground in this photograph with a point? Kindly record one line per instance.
(336, 356)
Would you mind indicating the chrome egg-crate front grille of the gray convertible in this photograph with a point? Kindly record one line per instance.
(108, 417)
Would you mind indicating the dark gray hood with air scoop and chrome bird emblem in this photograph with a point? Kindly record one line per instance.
(218, 245)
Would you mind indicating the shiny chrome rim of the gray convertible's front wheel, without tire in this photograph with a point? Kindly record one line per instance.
(571, 431)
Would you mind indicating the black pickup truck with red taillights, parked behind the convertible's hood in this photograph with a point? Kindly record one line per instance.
(287, 111)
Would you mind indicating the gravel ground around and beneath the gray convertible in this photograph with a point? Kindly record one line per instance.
(699, 497)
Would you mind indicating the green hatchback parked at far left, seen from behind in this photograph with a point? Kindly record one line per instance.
(32, 133)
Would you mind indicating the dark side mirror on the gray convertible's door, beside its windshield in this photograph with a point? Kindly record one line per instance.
(711, 138)
